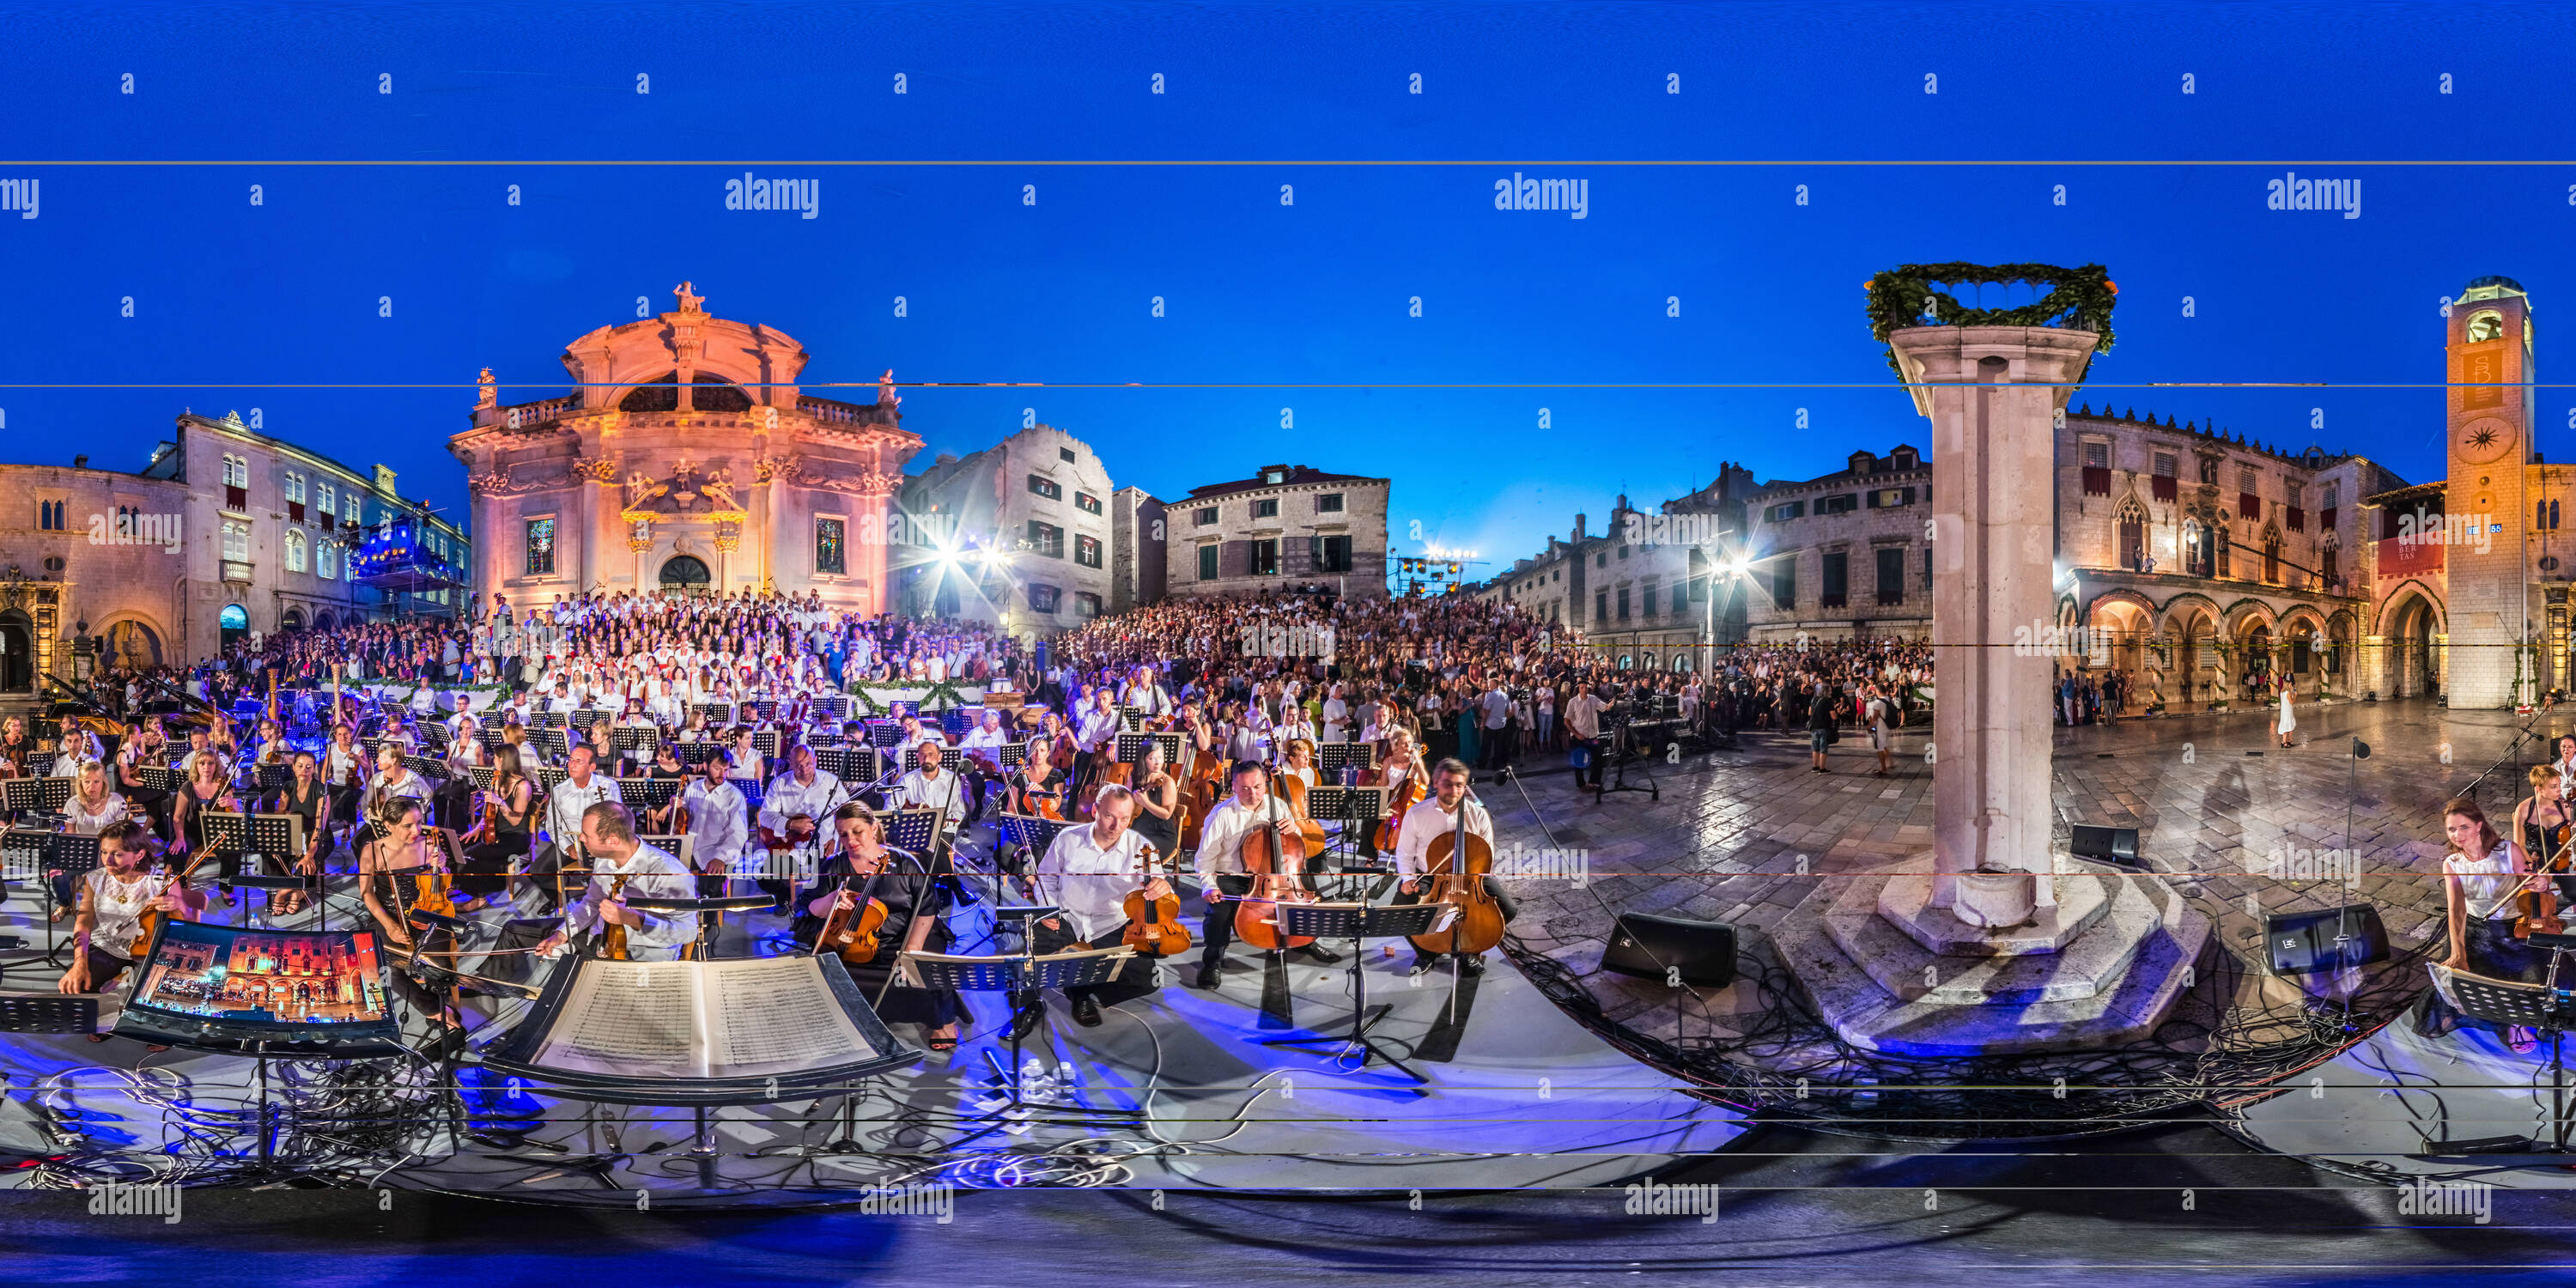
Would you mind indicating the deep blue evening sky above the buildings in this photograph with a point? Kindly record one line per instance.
(1269, 305)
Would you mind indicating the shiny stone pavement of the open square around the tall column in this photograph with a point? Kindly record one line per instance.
(2235, 823)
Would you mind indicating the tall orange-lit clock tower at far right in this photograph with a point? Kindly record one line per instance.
(2492, 596)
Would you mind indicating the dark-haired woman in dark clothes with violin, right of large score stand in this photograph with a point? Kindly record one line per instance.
(908, 887)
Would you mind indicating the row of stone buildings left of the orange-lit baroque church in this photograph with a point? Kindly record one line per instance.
(223, 532)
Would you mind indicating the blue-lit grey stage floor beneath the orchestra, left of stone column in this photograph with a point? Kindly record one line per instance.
(1519, 1096)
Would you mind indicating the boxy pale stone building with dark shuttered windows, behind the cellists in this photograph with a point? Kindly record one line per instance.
(1276, 529)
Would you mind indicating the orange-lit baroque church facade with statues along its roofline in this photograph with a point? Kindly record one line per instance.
(687, 457)
